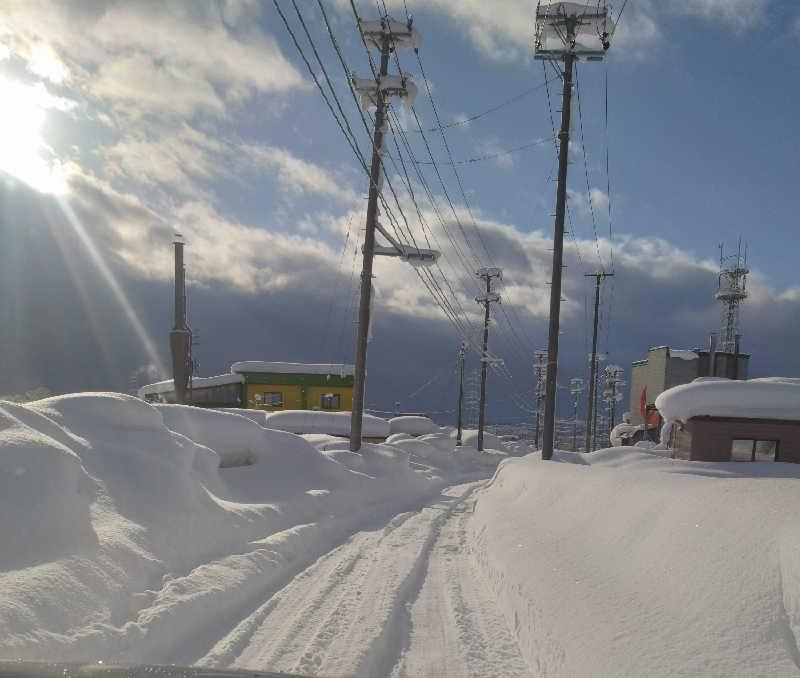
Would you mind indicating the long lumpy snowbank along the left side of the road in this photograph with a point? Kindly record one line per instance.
(141, 533)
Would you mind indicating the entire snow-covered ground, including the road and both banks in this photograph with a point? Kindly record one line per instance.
(169, 534)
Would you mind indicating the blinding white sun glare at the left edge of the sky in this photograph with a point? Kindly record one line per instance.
(23, 151)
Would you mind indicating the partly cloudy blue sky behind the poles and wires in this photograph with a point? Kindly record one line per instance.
(125, 122)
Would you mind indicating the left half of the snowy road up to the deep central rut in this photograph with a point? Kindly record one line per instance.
(348, 613)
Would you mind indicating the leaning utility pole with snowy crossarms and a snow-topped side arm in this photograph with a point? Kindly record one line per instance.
(385, 35)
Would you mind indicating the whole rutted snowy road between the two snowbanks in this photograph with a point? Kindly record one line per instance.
(403, 600)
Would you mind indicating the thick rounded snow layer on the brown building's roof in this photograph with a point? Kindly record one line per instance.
(768, 398)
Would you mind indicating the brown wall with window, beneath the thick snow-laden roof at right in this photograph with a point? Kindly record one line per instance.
(707, 438)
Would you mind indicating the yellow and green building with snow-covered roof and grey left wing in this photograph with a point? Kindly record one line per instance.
(269, 386)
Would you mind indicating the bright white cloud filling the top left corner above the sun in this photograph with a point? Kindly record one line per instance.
(150, 57)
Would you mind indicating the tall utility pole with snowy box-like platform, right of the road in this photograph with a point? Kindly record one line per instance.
(559, 26)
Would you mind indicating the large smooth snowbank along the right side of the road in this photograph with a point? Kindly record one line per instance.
(627, 563)
